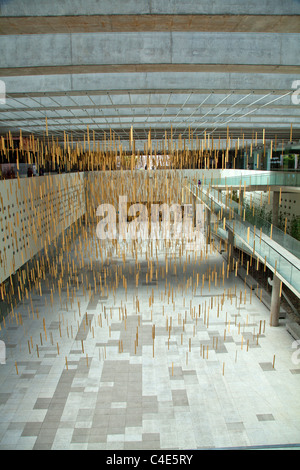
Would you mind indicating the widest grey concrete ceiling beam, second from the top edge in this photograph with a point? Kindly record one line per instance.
(149, 52)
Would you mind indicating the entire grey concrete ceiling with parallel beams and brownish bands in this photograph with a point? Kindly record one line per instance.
(196, 66)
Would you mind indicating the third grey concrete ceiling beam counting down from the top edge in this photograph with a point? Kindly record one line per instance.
(143, 83)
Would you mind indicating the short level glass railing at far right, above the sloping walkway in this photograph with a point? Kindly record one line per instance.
(257, 179)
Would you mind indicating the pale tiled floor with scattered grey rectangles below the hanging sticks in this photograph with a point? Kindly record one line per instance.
(81, 374)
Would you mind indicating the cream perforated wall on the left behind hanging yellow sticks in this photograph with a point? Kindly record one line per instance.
(33, 212)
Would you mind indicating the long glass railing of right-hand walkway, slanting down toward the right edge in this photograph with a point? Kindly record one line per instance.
(260, 242)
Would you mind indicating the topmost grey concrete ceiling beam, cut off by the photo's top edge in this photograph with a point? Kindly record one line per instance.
(146, 7)
